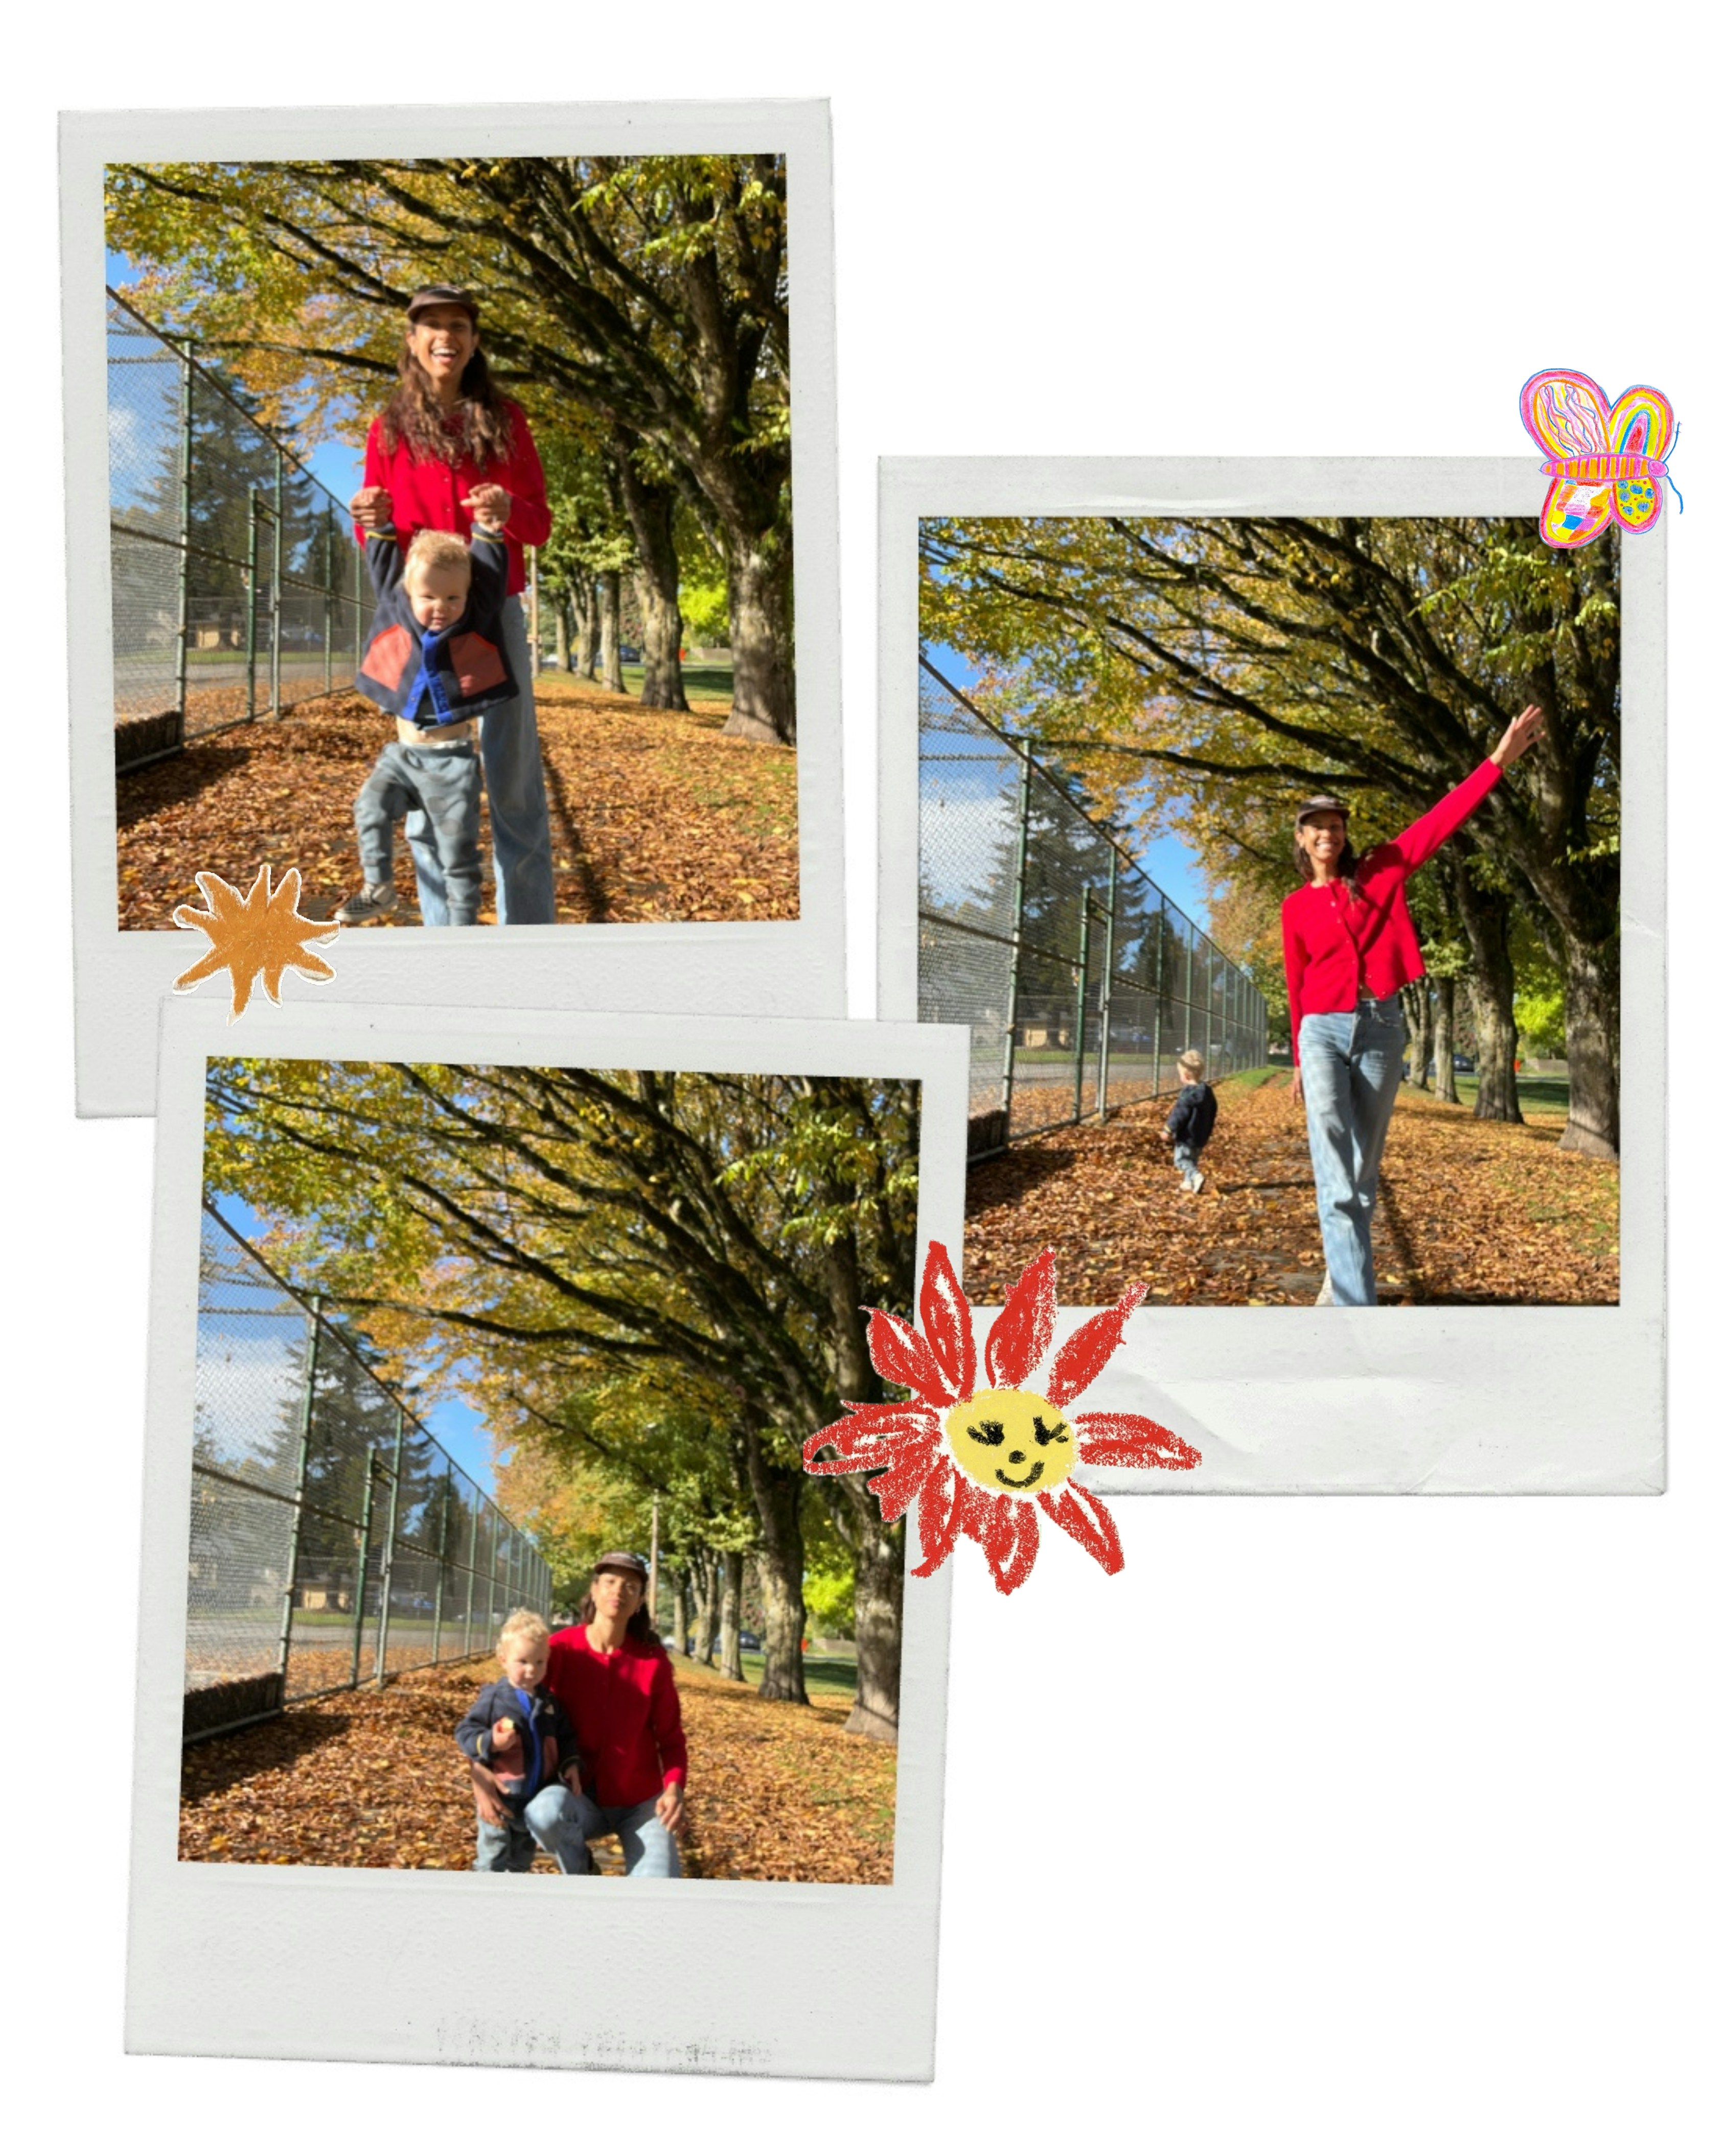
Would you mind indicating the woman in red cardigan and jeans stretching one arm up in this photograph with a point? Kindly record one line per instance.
(1351, 948)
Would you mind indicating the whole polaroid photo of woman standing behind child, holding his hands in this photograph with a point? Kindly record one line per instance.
(430, 534)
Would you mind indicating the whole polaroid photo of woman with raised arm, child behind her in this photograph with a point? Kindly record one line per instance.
(1219, 758)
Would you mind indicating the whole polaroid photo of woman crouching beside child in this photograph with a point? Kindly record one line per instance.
(482, 1364)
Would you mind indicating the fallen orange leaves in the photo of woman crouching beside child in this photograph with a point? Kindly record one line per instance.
(374, 1780)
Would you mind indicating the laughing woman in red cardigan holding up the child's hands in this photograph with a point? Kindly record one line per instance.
(447, 447)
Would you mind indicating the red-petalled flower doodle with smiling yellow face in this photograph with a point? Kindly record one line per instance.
(986, 1461)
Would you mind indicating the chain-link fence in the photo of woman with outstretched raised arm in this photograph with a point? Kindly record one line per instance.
(1079, 980)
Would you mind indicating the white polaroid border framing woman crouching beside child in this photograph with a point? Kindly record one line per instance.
(307, 1963)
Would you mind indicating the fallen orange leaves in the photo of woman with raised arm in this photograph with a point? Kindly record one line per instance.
(1469, 1213)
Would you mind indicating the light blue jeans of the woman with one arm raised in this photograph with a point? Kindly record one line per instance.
(1351, 1066)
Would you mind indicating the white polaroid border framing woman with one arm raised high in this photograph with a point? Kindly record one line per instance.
(1398, 1400)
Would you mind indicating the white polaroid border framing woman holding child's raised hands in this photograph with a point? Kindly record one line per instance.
(771, 967)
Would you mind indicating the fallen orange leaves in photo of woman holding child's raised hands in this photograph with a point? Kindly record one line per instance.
(657, 816)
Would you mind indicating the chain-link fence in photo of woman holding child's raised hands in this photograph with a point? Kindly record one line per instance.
(238, 588)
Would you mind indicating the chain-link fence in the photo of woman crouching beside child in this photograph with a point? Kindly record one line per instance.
(333, 1538)
